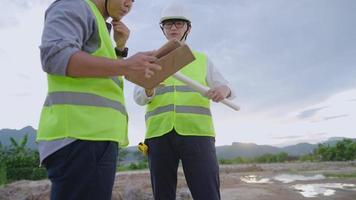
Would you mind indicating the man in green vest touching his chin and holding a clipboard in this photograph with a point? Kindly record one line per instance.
(84, 120)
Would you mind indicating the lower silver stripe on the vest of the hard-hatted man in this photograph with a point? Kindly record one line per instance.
(179, 109)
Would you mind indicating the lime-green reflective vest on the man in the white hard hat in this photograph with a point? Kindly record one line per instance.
(178, 106)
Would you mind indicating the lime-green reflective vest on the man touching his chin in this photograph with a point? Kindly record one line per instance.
(86, 108)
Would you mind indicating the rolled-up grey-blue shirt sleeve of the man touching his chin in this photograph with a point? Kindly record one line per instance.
(68, 25)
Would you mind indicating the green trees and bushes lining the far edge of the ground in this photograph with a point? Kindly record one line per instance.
(18, 162)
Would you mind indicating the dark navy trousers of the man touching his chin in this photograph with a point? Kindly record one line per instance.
(83, 170)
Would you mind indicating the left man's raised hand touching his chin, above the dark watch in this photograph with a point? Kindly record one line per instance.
(121, 34)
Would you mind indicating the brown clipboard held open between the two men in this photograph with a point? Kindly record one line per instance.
(172, 57)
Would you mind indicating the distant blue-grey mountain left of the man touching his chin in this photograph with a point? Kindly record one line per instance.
(6, 134)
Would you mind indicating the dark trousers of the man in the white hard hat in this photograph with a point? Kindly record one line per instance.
(199, 162)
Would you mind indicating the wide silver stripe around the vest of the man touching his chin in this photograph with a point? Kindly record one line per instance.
(85, 99)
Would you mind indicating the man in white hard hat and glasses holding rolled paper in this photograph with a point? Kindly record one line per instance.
(179, 123)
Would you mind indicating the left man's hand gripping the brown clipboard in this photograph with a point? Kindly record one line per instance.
(142, 63)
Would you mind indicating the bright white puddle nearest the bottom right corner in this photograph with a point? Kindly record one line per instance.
(326, 189)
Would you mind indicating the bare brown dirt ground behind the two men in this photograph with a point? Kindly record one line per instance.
(136, 185)
